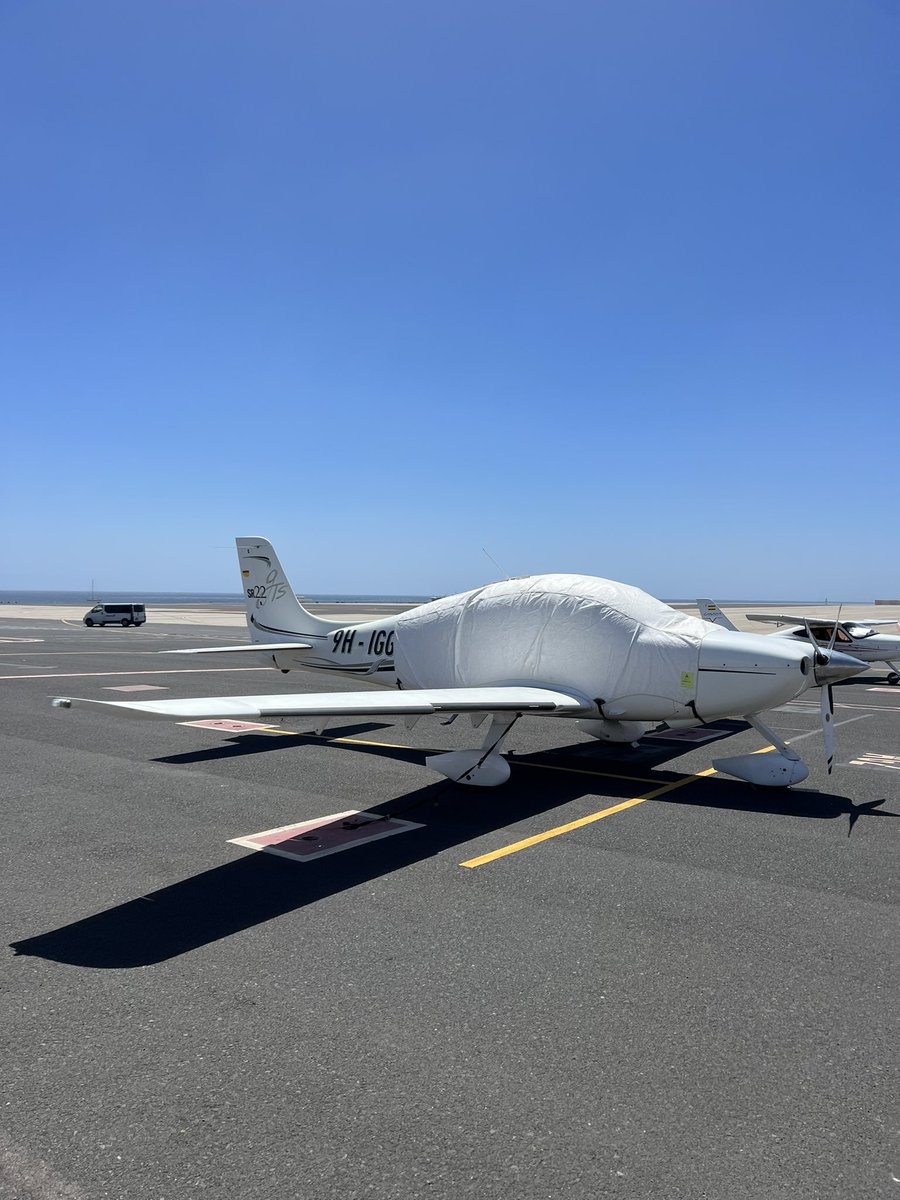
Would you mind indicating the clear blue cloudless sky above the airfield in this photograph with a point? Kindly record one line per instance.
(603, 289)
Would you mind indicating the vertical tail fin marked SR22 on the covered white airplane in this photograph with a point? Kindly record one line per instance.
(273, 608)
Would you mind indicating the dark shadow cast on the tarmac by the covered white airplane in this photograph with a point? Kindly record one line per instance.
(259, 887)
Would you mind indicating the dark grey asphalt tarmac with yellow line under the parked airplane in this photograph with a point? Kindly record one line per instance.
(691, 995)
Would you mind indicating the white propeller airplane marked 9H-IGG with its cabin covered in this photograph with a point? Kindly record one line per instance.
(607, 655)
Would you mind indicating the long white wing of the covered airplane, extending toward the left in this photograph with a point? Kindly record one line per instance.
(416, 703)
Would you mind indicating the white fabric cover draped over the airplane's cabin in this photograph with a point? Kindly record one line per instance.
(605, 639)
